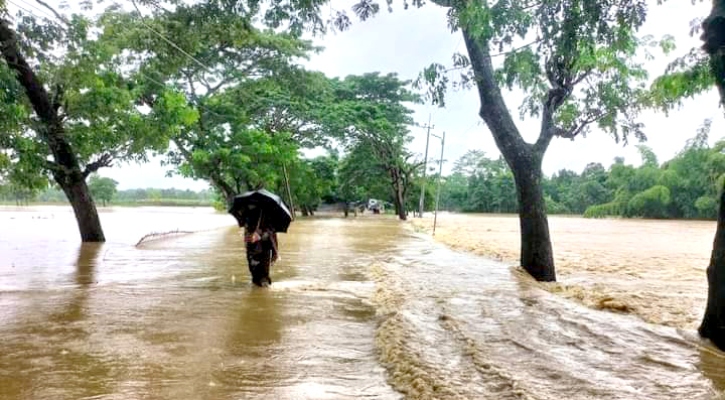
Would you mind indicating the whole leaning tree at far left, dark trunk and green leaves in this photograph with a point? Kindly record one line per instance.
(66, 117)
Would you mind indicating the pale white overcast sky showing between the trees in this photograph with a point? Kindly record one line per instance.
(407, 41)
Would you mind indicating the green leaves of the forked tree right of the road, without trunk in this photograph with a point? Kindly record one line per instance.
(585, 48)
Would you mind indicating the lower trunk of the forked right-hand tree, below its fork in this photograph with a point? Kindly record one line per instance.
(536, 251)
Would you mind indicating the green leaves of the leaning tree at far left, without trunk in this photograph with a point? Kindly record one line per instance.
(97, 102)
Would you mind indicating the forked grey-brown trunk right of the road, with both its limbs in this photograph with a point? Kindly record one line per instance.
(523, 158)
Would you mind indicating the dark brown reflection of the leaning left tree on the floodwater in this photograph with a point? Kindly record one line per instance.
(47, 337)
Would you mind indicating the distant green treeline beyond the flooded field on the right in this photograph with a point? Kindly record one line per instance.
(684, 187)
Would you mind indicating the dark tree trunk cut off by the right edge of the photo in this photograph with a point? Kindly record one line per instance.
(713, 323)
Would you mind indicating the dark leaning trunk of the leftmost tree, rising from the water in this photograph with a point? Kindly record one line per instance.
(66, 169)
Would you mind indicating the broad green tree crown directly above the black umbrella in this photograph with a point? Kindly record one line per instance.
(255, 106)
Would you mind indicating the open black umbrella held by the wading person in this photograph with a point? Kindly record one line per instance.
(248, 207)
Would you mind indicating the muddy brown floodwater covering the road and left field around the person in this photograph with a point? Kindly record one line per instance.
(359, 308)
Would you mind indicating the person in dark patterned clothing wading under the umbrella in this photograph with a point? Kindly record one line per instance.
(261, 245)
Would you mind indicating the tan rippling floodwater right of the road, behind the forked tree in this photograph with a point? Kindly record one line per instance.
(654, 269)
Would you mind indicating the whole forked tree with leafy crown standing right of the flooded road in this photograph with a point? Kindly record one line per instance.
(578, 71)
